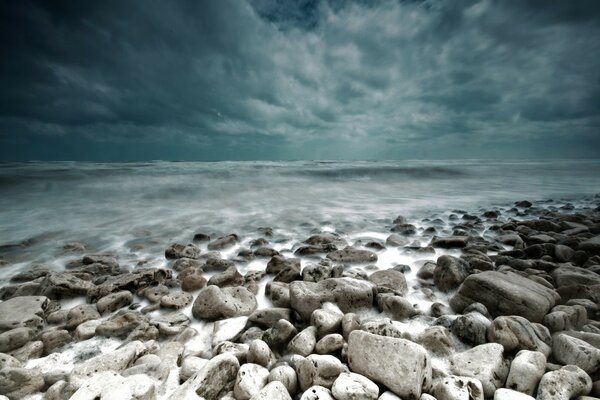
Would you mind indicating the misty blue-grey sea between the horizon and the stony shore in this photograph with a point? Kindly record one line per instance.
(139, 208)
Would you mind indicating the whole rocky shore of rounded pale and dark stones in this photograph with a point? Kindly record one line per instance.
(519, 323)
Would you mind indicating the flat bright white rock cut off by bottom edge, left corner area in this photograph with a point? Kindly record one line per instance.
(110, 385)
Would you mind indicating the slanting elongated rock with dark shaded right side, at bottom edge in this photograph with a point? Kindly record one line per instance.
(213, 381)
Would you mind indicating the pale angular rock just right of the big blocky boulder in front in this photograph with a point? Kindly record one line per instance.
(485, 363)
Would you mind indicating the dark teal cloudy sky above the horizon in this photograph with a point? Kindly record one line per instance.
(299, 79)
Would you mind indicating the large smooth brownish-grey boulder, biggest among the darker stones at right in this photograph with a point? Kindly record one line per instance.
(505, 293)
